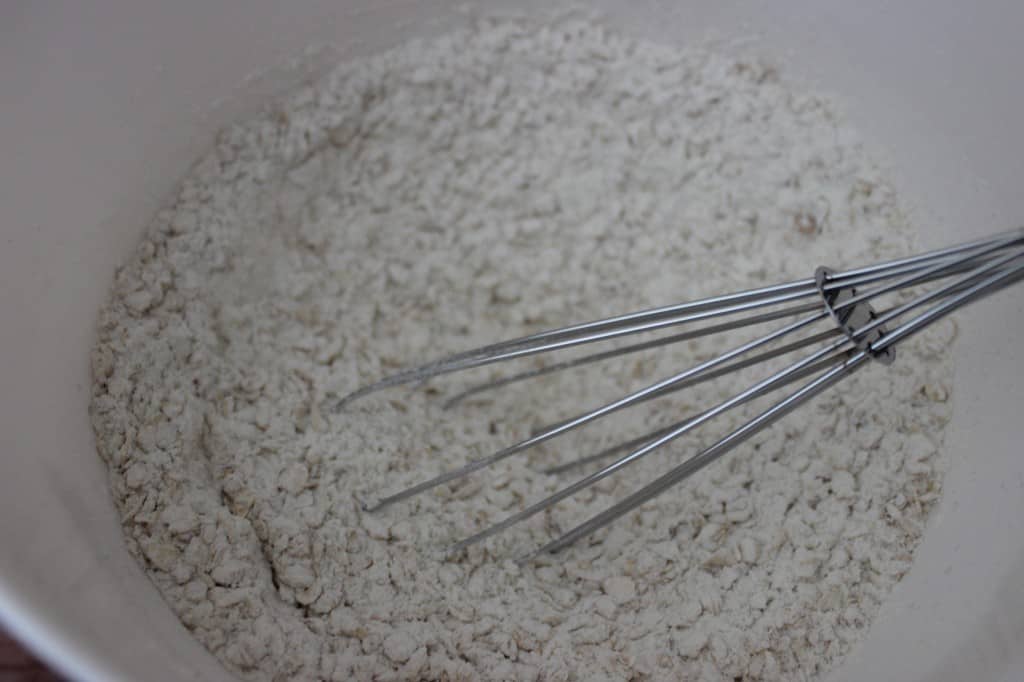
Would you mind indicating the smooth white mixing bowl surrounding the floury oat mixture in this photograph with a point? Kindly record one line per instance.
(104, 106)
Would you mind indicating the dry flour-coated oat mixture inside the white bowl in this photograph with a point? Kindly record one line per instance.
(505, 179)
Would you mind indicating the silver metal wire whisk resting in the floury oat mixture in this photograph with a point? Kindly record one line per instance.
(927, 287)
